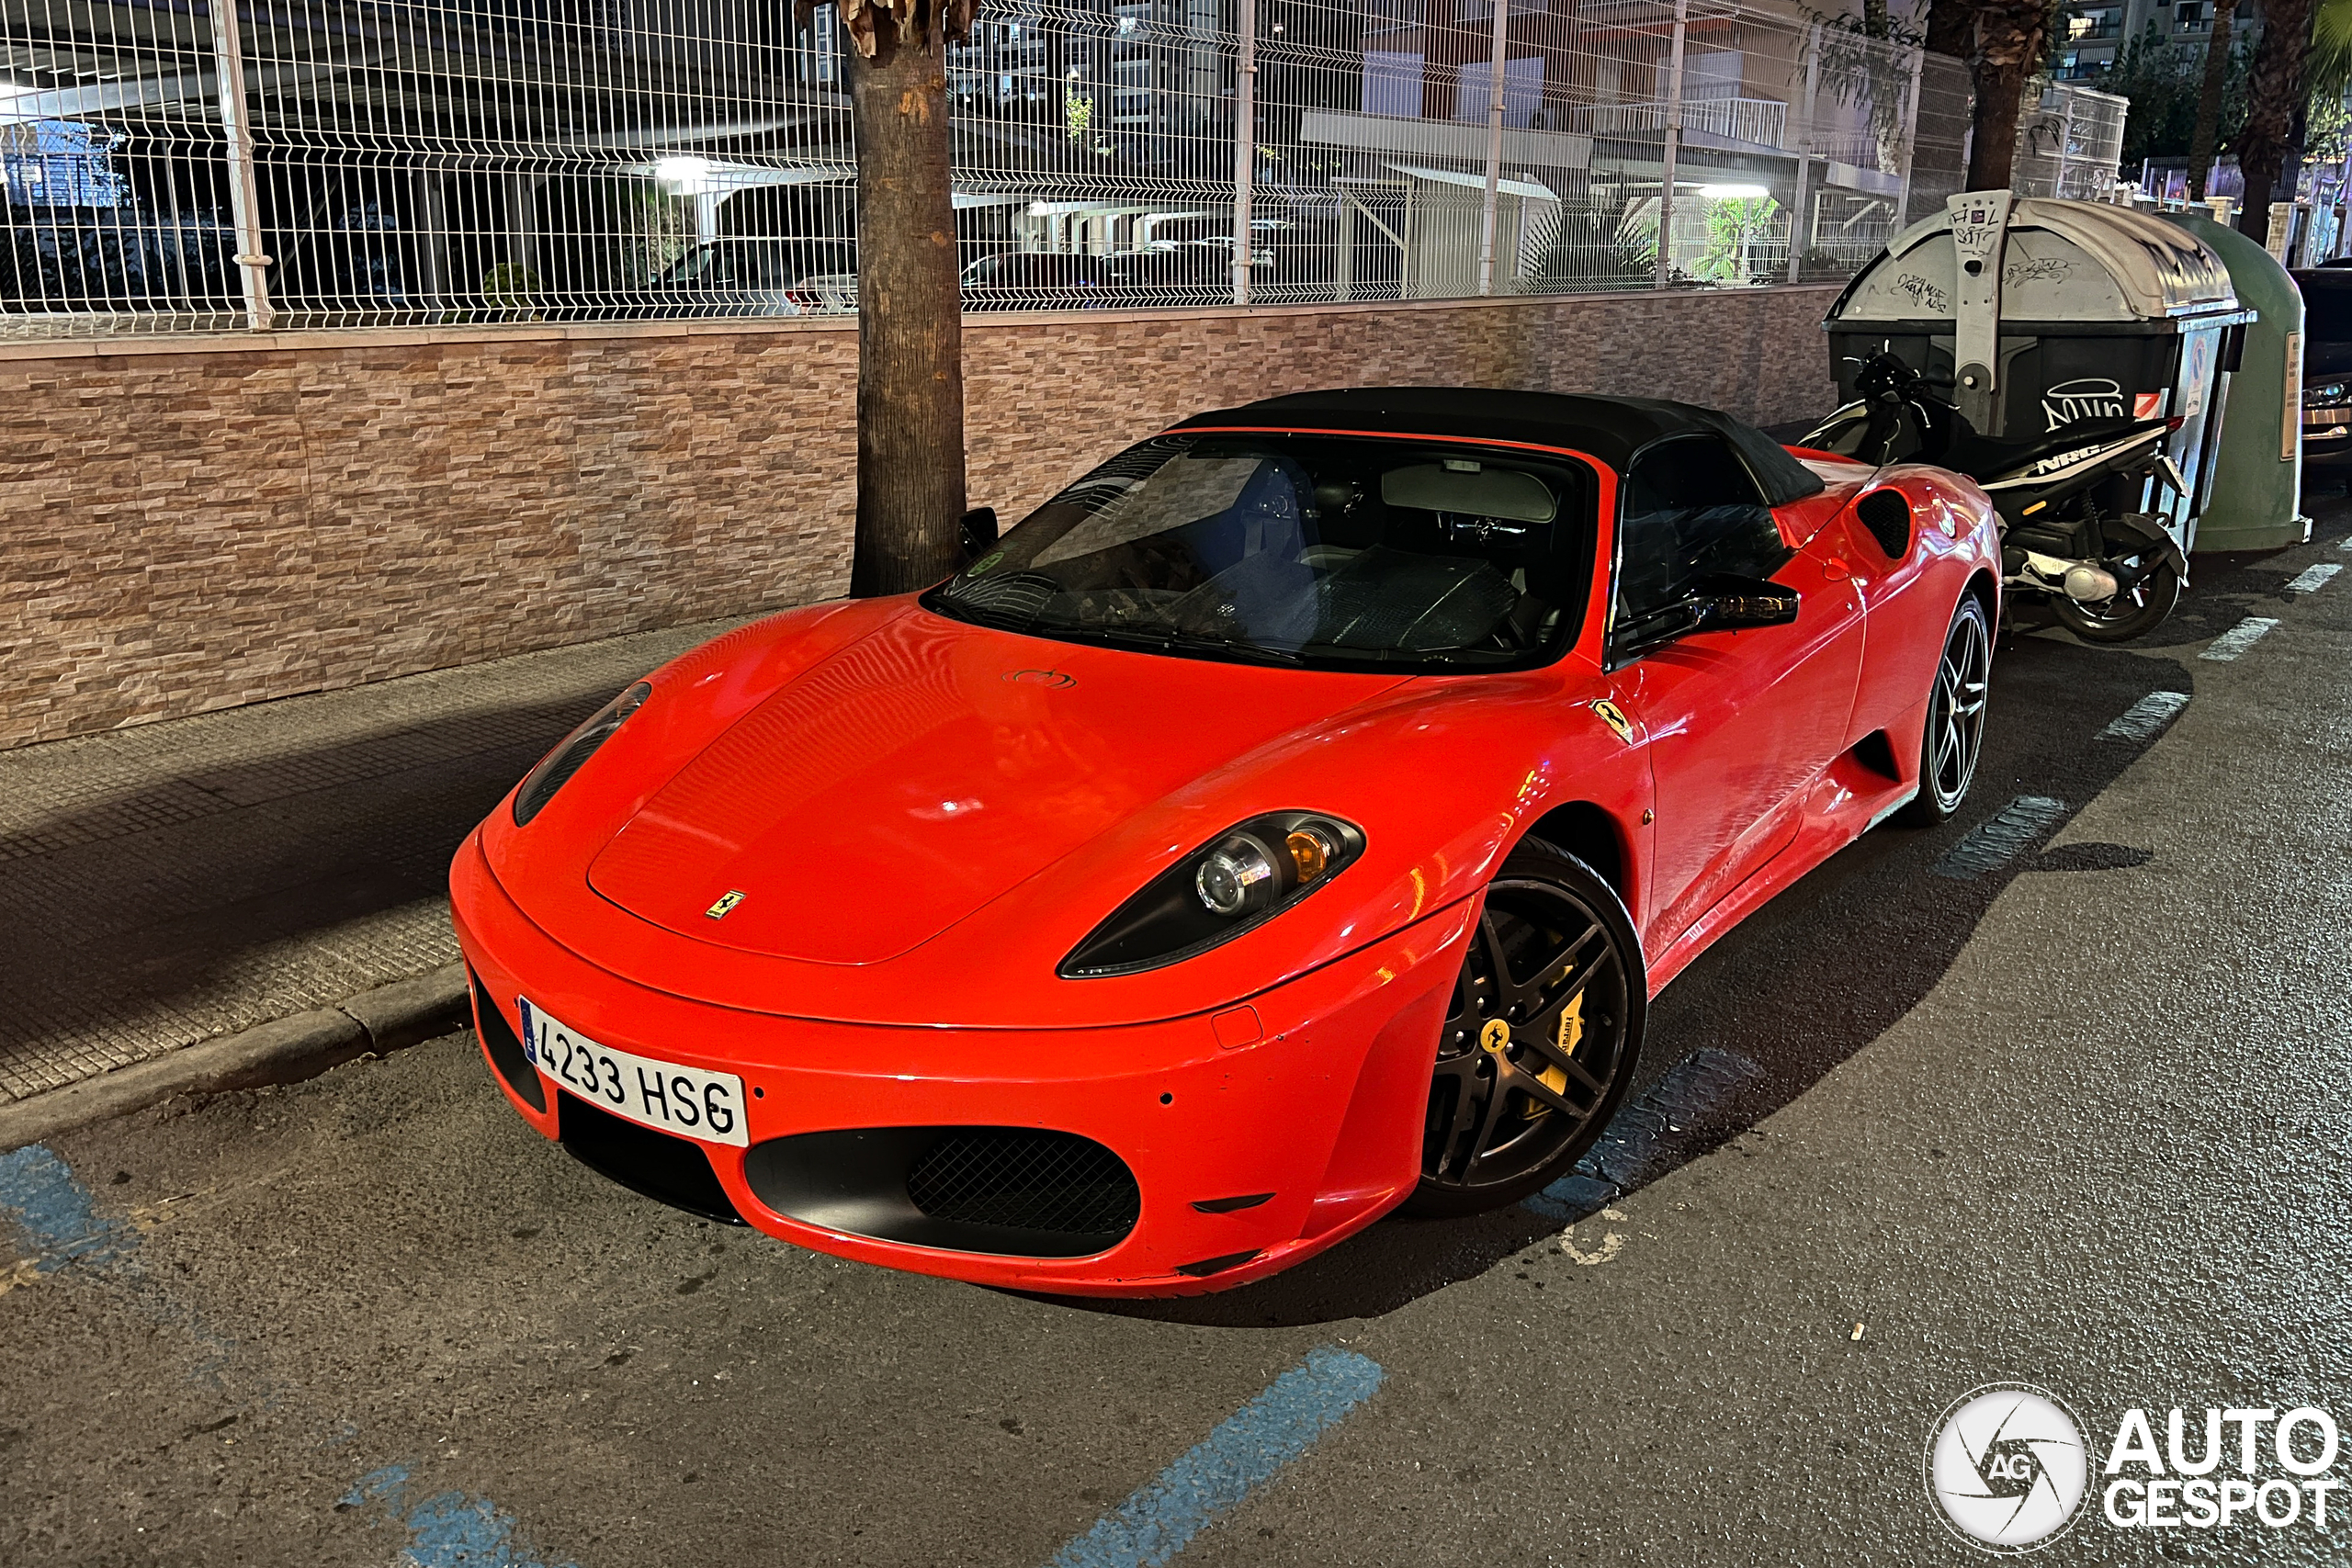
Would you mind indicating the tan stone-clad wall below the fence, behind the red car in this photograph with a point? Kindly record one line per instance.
(201, 523)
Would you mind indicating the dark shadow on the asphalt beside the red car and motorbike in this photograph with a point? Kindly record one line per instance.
(1817, 974)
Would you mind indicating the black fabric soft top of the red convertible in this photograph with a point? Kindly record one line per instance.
(1612, 429)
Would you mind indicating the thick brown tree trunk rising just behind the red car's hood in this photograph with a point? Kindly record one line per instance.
(911, 328)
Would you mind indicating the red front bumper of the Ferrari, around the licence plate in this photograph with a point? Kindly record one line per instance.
(1311, 1094)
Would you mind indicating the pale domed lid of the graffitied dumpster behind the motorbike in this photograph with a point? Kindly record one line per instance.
(2064, 262)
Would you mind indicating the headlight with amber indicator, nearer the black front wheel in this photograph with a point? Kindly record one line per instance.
(1234, 883)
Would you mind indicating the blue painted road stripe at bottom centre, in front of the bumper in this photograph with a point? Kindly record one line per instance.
(1229, 1466)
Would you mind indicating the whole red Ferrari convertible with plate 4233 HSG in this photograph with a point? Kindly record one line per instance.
(1285, 824)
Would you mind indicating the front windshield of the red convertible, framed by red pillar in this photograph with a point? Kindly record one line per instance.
(1302, 549)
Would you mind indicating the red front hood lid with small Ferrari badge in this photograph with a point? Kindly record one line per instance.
(921, 772)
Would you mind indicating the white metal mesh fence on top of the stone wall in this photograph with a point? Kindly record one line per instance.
(326, 163)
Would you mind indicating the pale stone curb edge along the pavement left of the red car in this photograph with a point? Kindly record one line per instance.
(279, 1052)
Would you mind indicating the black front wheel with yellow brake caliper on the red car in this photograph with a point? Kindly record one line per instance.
(1542, 1040)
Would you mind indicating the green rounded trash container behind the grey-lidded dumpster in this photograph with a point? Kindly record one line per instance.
(2257, 502)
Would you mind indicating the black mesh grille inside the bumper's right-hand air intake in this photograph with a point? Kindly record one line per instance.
(1027, 1181)
